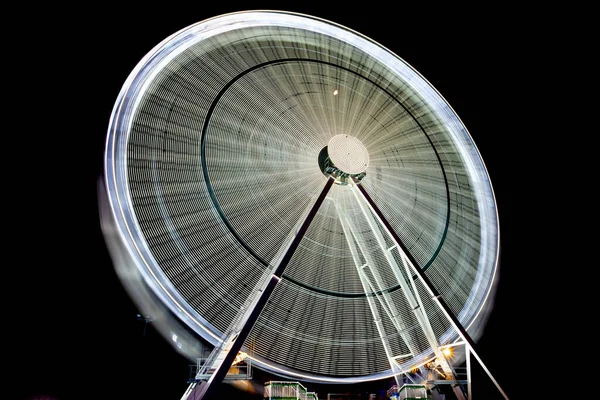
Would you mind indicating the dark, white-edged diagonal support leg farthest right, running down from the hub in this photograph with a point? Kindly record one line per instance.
(435, 295)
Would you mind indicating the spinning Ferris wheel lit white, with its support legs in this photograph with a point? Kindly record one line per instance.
(287, 187)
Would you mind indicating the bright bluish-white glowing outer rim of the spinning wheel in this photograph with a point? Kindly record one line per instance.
(115, 165)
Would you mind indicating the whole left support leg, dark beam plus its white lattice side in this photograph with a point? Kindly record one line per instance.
(224, 355)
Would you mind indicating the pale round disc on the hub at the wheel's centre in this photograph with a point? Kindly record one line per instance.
(348, 154)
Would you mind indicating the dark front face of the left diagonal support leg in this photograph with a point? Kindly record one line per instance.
(208, 389)
